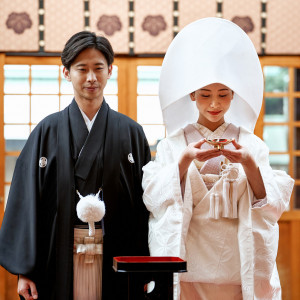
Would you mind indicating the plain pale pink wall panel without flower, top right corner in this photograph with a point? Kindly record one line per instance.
(283, 25)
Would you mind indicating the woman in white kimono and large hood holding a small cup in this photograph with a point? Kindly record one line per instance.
(216, 208)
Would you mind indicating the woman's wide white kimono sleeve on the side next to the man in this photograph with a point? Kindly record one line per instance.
(163, 198)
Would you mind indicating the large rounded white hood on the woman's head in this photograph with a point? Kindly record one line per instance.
(210, 50)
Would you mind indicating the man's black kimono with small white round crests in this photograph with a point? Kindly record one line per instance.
(36, 237)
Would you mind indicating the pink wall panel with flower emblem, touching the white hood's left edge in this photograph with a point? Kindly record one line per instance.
(153, 30)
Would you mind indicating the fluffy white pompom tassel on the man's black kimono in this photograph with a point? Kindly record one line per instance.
(90, 209)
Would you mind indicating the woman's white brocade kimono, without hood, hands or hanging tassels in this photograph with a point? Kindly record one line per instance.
(175, 224)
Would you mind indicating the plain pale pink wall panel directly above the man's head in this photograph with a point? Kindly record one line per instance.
(63, 18)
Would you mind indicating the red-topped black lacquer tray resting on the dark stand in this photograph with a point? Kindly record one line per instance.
(149, 264)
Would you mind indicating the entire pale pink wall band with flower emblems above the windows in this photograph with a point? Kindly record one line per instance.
(142, 26)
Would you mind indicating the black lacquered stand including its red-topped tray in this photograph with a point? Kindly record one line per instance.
(143, 269)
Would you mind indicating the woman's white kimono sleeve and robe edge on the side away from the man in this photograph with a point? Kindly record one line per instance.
(265, 229)
